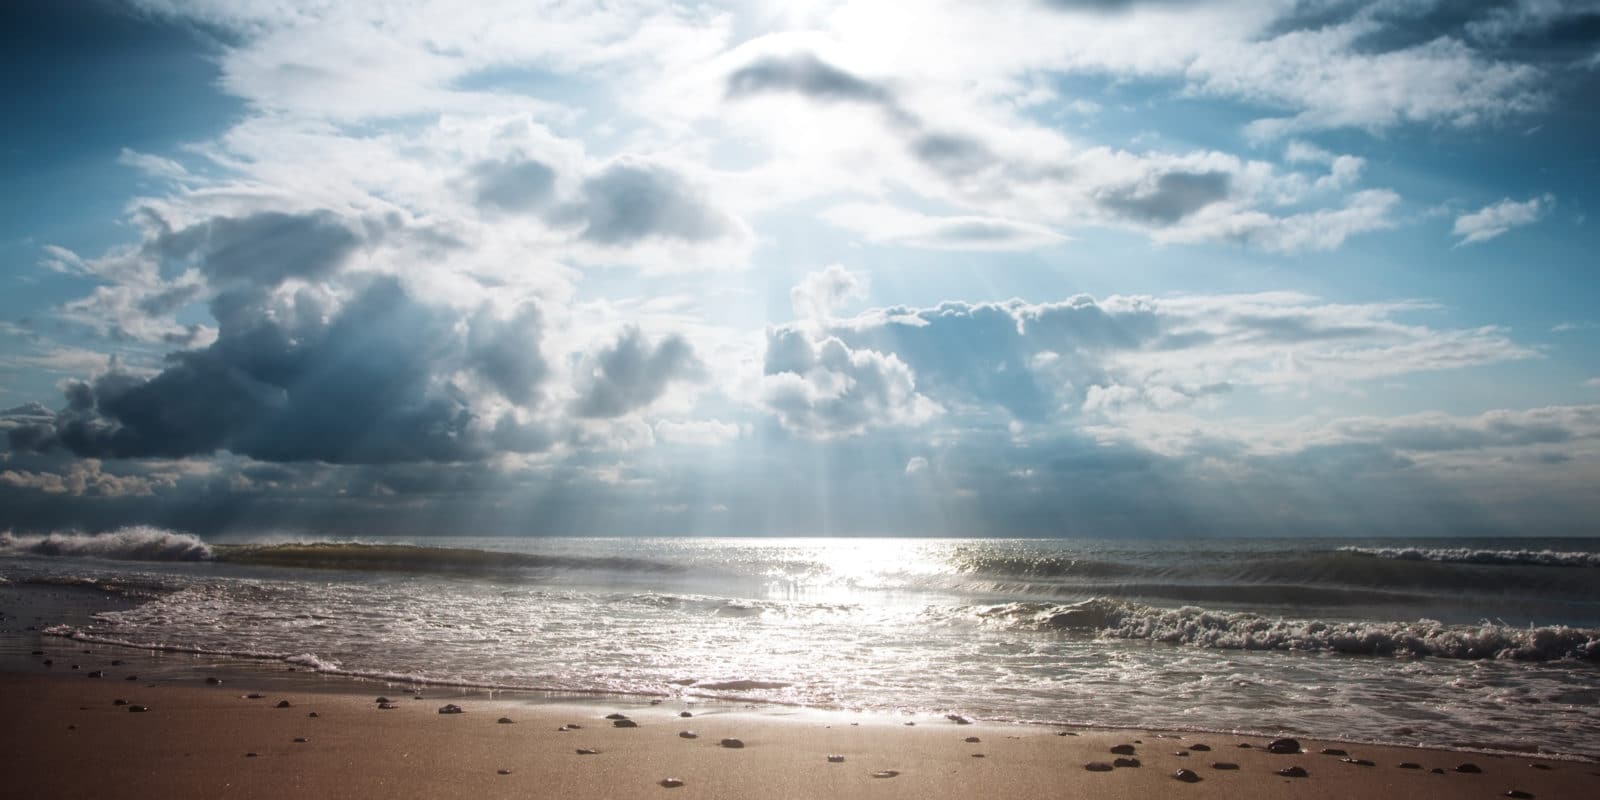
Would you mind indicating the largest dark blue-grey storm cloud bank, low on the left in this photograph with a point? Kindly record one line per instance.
(364, 385)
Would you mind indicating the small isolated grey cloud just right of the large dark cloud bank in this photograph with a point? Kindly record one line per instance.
(631, 374)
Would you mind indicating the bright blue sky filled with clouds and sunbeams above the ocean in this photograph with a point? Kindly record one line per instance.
(1028, 268)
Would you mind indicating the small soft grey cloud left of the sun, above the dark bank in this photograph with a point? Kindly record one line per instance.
(628, 204)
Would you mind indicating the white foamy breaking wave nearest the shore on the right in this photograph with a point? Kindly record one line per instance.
(1246, 631)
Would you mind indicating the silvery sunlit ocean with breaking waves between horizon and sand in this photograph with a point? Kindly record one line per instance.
(1481, 644)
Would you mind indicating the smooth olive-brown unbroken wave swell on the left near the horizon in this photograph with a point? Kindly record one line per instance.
(417, 559)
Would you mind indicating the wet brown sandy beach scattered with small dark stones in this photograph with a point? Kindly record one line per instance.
(70, 735)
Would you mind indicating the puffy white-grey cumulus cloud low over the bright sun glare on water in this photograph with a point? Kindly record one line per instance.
(826, 390)
